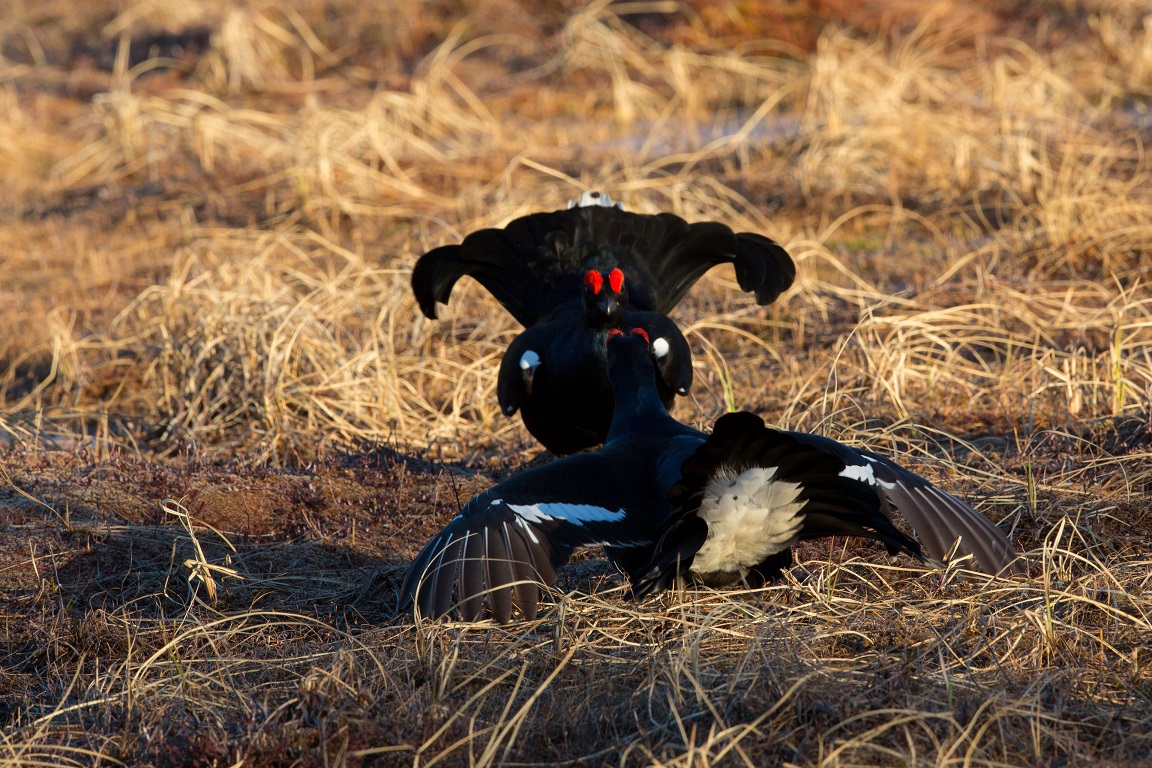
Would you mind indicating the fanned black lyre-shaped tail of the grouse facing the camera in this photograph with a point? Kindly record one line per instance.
(537, 262)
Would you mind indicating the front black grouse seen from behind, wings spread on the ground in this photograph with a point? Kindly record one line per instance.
(665, 500)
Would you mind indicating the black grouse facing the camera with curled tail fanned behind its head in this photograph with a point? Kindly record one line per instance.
(541, 268)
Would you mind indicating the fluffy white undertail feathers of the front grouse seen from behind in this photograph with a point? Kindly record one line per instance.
(751, 516)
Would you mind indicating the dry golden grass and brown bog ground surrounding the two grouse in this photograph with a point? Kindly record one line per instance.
(209, 215)
